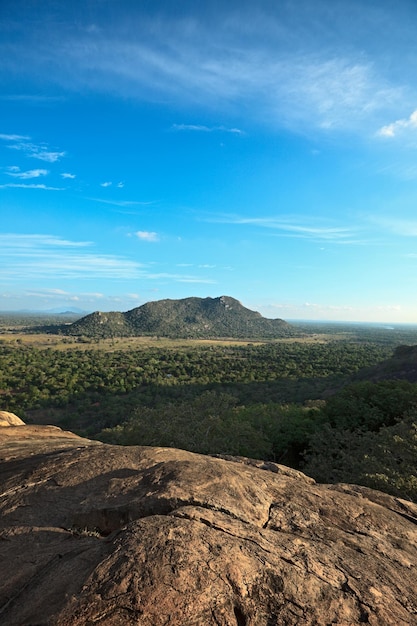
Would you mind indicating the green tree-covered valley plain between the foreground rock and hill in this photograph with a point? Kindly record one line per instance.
(318, 400)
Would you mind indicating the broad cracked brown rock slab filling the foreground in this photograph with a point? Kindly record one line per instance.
(93, 534)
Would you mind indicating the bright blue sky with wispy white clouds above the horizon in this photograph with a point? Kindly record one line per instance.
(265, 150)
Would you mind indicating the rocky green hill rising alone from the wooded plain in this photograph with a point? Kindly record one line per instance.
(186, 318)
